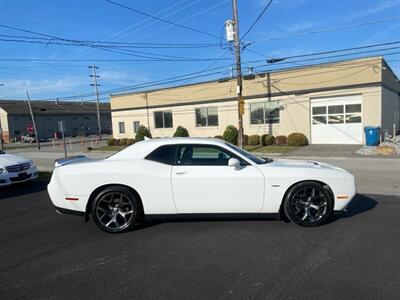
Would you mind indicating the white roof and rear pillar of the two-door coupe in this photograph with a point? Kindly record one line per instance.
(143, 148)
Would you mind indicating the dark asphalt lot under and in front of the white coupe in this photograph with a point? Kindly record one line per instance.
(44, 255)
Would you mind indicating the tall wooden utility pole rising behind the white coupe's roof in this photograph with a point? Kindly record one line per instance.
(238, 73)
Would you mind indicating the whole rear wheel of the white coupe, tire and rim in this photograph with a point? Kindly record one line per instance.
(116, 209)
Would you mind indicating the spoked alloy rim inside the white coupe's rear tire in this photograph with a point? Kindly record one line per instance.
(115, 211)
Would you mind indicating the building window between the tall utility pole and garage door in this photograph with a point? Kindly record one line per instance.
(264, 112)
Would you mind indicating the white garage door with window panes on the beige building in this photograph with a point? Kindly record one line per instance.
(336, 120)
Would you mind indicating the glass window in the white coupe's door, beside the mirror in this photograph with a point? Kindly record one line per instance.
(202, 155)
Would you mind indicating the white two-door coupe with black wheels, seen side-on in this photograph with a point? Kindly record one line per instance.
(196, 176)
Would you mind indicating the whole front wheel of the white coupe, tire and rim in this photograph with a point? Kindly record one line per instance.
(308, 204)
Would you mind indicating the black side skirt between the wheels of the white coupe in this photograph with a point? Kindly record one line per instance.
(214, 216)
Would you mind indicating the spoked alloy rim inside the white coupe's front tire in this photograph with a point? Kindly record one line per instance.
(309, 204)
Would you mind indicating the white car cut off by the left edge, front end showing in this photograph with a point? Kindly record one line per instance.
(14, 169)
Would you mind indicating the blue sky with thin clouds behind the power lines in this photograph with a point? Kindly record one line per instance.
(100, 20)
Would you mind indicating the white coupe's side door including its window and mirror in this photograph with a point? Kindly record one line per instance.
(202, 181)
